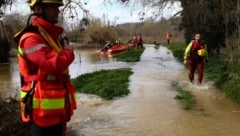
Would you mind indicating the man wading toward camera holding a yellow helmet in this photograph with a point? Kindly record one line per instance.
(196, 53)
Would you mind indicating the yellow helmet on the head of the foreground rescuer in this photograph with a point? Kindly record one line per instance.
(32, 3)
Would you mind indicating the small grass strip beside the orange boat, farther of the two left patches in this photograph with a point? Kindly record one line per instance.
(131, 55)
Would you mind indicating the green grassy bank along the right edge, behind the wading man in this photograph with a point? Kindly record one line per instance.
(225, 76)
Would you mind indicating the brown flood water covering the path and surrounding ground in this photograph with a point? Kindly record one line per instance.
(150, 109)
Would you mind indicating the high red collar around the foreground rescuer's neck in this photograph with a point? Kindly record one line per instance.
(53, 30)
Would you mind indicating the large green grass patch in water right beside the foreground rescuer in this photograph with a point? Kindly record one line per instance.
(107, 84)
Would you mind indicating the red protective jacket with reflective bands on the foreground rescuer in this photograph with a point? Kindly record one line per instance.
(54, 96)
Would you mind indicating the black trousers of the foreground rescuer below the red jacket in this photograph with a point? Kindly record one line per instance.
(56, 130)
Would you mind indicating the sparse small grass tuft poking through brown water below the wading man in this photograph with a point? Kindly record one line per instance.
(187, 99)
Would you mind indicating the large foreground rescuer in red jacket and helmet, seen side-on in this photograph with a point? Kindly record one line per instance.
(47, 95)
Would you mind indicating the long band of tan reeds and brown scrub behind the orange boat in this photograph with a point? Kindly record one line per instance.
(98, 32)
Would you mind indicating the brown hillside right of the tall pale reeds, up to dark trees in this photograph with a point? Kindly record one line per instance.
(152, 31)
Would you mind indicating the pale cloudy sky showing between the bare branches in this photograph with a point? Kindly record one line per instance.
(113, 12)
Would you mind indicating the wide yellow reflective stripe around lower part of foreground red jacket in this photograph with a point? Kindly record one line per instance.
(50, 104)
